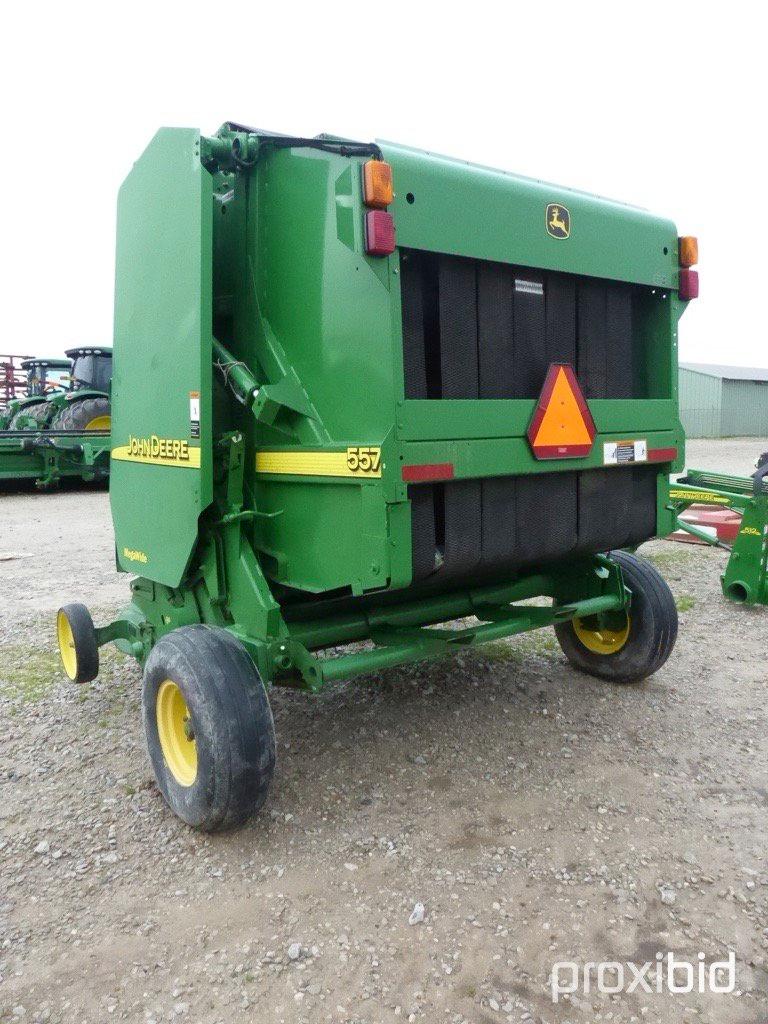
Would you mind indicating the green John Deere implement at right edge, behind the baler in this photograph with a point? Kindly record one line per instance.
(746, 577)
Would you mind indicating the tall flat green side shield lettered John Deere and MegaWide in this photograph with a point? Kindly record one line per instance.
(162, 354)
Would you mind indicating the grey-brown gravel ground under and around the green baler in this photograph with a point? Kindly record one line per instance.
(537, 815)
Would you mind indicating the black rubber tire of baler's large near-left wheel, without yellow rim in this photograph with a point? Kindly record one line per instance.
(232, 720)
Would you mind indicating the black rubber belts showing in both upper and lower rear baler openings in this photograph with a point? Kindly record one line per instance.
(476, 329)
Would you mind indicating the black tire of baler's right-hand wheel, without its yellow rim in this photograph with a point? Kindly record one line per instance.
(653, 628)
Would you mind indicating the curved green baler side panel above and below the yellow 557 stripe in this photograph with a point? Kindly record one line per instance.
(313, 316)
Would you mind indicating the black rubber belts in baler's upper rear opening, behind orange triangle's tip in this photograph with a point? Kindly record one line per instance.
(477, 329)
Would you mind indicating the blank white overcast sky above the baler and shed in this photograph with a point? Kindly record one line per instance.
(660, 105)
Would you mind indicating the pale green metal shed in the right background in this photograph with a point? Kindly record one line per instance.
(719, 401)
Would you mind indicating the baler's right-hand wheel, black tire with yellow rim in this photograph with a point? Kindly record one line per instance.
(629, 647)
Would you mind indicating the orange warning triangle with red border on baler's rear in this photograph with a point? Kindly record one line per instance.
(563, 426)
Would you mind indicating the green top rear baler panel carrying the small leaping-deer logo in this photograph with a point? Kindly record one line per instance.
(451, 206)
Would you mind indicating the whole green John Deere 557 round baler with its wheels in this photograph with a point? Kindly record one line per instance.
(362, 393)
